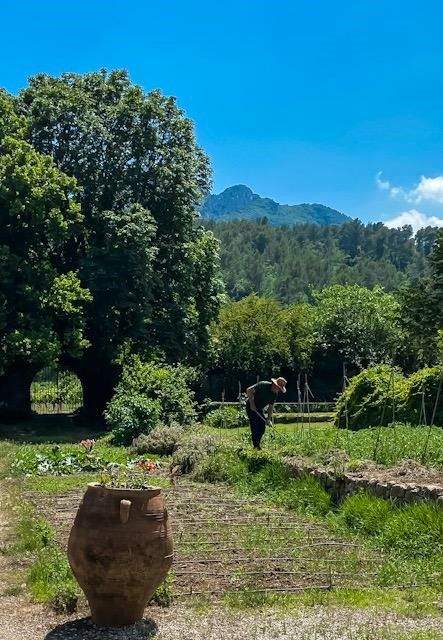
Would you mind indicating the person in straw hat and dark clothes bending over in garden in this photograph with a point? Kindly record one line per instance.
(261, 395)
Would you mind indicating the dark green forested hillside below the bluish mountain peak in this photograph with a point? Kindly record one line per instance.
(288, 262)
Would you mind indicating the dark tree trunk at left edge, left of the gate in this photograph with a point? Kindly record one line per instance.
(15, 392)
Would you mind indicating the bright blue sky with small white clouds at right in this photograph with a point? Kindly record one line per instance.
(304, 101)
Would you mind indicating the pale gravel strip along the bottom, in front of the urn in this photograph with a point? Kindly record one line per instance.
(314, 623)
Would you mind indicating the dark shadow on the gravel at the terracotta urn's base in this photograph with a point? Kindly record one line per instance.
(84, 629)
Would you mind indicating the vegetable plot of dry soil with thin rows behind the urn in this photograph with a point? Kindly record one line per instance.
(225, 544)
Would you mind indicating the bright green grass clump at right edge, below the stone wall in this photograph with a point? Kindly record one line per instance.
(415, 530)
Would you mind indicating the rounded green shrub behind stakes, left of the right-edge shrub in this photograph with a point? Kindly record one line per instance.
(369, 398)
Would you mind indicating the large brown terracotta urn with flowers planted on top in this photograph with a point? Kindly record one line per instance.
(120, 550)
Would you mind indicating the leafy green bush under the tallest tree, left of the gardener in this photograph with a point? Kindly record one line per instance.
(148, 394)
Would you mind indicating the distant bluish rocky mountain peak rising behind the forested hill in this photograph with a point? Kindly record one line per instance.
(240, 203)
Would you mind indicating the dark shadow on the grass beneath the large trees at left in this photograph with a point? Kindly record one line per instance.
(50, 428)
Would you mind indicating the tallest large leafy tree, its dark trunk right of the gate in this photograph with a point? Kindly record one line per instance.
(149, 267)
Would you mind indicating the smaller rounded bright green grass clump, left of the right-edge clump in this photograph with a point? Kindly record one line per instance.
(365, 513)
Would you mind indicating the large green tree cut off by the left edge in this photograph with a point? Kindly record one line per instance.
(38, 290)
